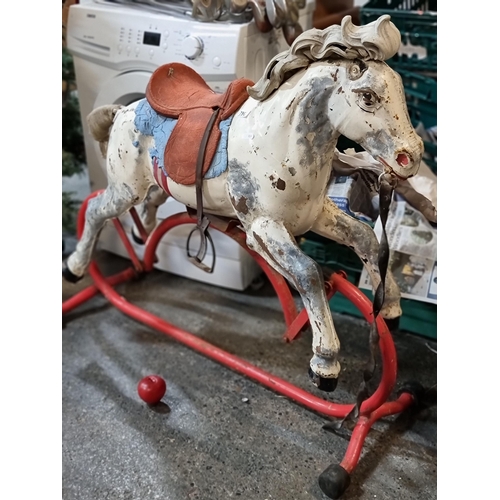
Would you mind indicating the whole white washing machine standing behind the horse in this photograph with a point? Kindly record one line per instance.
(116, 46)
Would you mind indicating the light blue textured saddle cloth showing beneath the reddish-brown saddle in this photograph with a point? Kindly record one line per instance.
(149, 122)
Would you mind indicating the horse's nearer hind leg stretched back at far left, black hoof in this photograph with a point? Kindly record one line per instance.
(113, 202)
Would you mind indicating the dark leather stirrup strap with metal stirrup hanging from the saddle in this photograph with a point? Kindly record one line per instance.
(202, 221)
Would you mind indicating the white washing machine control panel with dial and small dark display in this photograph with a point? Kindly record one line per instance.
(122, 38)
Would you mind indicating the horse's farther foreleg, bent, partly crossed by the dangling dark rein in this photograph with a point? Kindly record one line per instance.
(335, 224)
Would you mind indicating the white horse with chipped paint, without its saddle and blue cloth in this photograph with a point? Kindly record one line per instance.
(280, 147)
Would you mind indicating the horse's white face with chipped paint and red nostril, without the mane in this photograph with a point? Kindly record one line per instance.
(369, 107)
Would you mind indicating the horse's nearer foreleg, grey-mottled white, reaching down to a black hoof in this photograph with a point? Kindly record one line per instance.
(278, 247)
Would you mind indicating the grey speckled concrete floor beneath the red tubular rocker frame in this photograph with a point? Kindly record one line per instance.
(218, 435)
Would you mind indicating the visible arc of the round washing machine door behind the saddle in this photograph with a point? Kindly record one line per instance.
(124, 88)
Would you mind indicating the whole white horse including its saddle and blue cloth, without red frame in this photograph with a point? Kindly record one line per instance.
(260, 157)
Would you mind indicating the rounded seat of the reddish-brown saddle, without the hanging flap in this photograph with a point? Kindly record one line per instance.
(175, 87)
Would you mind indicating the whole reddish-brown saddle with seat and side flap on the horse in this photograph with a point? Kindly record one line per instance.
(177, 91)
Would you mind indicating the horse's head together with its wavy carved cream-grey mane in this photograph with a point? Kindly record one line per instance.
(367, 103)
